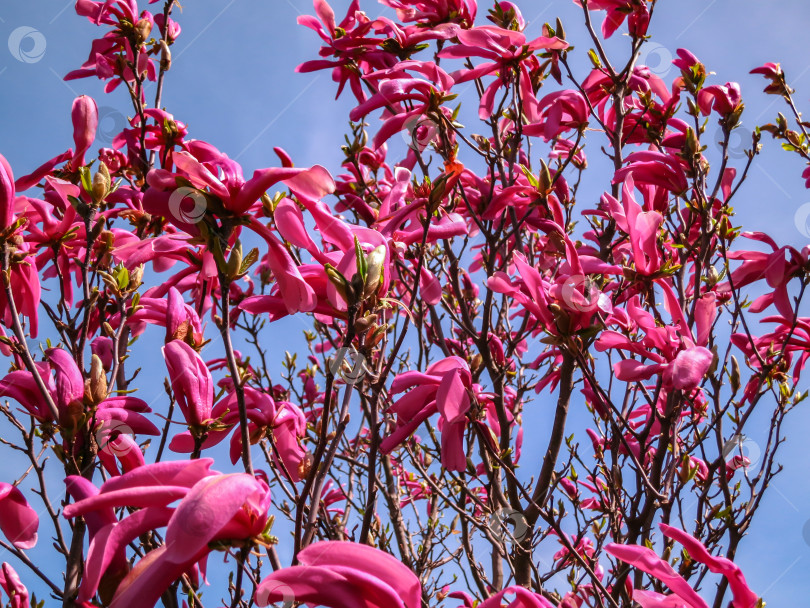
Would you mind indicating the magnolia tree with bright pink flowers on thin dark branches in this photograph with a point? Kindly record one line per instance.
(453, 285)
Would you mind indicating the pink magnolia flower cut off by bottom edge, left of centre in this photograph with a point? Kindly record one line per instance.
(341, 574)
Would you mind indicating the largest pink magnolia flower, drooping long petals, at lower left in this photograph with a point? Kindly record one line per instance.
(212, 507)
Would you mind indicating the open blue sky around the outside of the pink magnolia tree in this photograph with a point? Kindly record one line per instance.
(233, 84)
